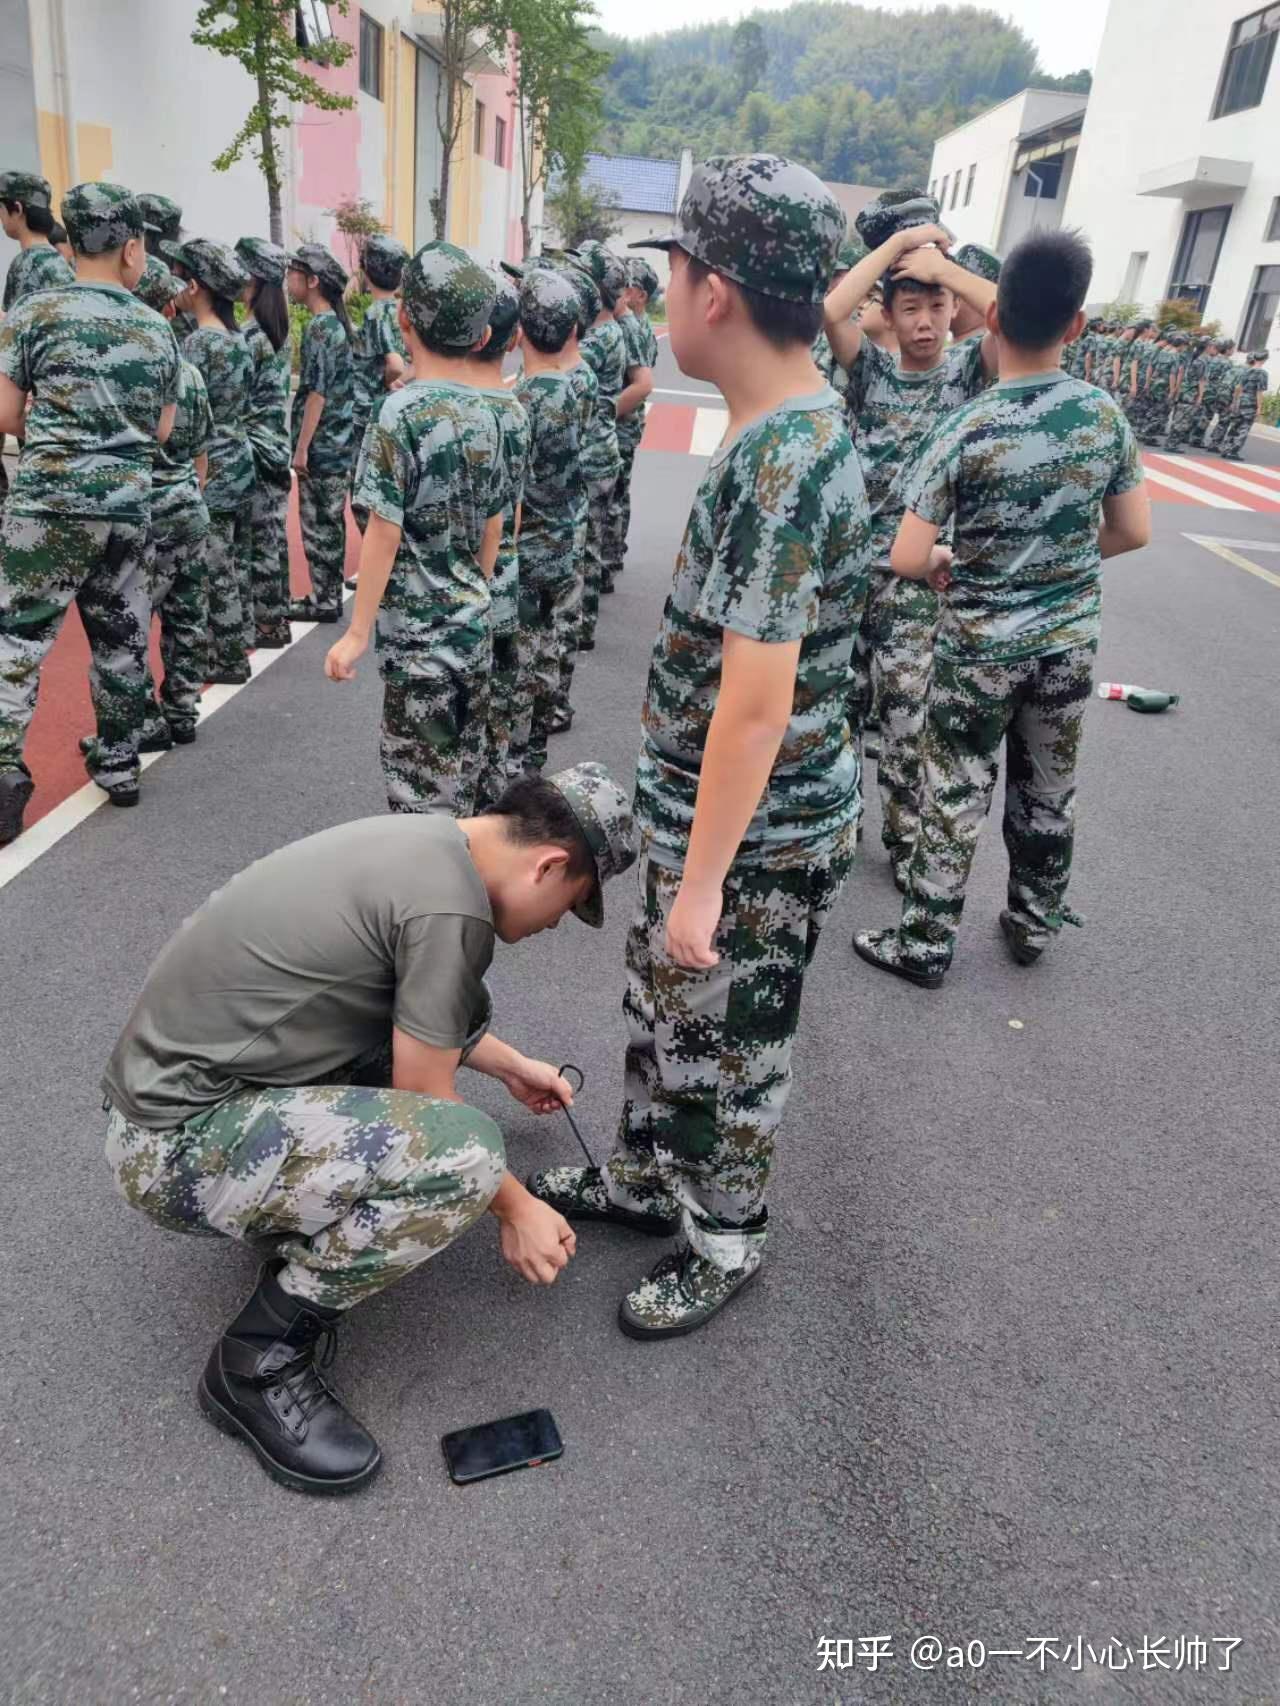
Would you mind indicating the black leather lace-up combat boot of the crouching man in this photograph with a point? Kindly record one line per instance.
(264, 1384)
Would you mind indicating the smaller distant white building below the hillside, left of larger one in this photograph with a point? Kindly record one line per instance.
(1009, 170)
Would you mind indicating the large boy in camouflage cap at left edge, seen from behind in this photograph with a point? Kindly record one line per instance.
(103, 373)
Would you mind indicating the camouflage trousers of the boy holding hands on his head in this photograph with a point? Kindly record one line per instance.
(893, 656)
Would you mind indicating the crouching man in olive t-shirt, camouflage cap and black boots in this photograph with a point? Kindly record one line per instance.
(289, 1079)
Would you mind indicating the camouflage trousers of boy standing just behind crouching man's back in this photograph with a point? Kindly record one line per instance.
(434, 726)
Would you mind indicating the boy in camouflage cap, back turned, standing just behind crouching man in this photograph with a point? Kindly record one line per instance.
(434, 487)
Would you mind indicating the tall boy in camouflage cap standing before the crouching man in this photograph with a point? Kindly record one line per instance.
(748, 780)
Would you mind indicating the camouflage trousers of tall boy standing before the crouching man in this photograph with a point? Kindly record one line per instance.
(709, 1057)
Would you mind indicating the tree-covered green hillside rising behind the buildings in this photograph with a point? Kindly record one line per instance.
(856, 93)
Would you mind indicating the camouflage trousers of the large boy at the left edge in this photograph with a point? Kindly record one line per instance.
(45, 564)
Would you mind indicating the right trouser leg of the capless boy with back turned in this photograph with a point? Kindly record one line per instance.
(1040, 789)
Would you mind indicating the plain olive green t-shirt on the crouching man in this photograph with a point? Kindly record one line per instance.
(305, 961)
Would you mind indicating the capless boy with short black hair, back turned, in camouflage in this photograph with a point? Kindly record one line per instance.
(1042, 479)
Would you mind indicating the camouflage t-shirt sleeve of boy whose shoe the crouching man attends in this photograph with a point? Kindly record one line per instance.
(765, 576)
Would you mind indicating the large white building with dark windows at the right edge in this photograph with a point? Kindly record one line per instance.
(1178, 180)
